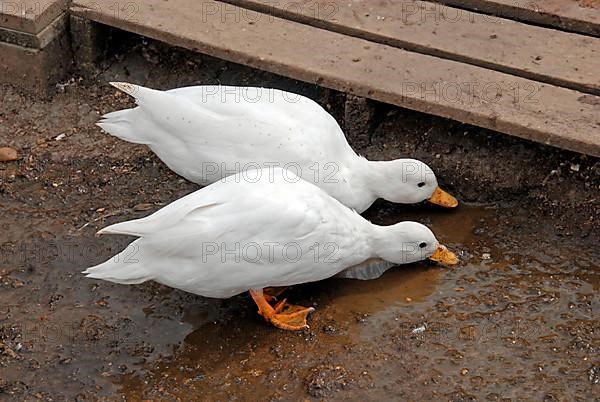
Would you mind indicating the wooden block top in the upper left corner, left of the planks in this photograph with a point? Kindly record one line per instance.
(30, 16)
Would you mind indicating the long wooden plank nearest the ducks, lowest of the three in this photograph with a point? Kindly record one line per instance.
(540, 112)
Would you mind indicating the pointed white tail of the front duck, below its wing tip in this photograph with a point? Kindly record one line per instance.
(125, 268)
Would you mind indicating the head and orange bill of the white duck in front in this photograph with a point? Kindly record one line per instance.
(407, 242)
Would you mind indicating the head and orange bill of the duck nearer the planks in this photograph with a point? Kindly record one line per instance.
(408, 181)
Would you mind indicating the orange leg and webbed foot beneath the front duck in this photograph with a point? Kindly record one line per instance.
(283, 315)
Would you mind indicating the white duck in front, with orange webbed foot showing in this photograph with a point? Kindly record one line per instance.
(258, 229)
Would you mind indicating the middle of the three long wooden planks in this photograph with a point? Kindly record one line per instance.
(572, 61)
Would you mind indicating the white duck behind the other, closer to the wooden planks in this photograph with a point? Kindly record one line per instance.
(206, 133)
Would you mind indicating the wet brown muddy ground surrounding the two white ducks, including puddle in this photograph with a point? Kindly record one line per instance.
(517, 319)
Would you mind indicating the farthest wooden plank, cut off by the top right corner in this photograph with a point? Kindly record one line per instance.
(582, 16)
